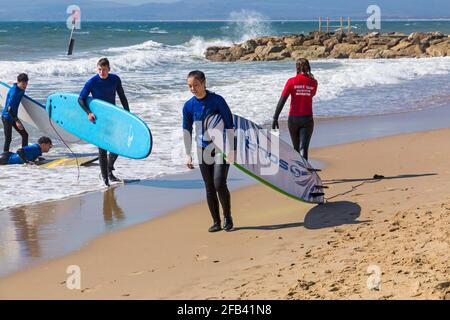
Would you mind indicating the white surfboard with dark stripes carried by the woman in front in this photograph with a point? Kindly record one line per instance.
(267, 158)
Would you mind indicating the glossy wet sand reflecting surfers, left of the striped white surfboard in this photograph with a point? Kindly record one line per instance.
(32, 234)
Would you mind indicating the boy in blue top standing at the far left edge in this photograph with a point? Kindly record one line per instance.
(10, 111)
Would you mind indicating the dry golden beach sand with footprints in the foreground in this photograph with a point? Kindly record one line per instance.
(281, 248)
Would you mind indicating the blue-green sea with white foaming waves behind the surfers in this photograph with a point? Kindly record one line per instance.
(153, 59)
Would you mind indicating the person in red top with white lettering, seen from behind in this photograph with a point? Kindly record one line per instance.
(302, 88)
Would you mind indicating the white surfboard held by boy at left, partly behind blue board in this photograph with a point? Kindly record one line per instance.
(34, 114)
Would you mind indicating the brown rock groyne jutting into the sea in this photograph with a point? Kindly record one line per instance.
(321, 45)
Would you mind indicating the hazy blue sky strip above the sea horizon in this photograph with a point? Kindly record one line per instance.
(114, 10)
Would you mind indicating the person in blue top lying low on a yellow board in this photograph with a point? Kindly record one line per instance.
(28, 154)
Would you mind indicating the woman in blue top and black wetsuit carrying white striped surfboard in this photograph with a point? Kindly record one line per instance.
(213, 167)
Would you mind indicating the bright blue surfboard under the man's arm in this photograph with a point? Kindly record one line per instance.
(115, 129)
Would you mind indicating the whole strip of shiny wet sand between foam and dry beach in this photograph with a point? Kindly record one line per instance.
(185, 189)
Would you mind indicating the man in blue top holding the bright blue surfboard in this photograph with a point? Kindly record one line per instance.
(104, 86)
